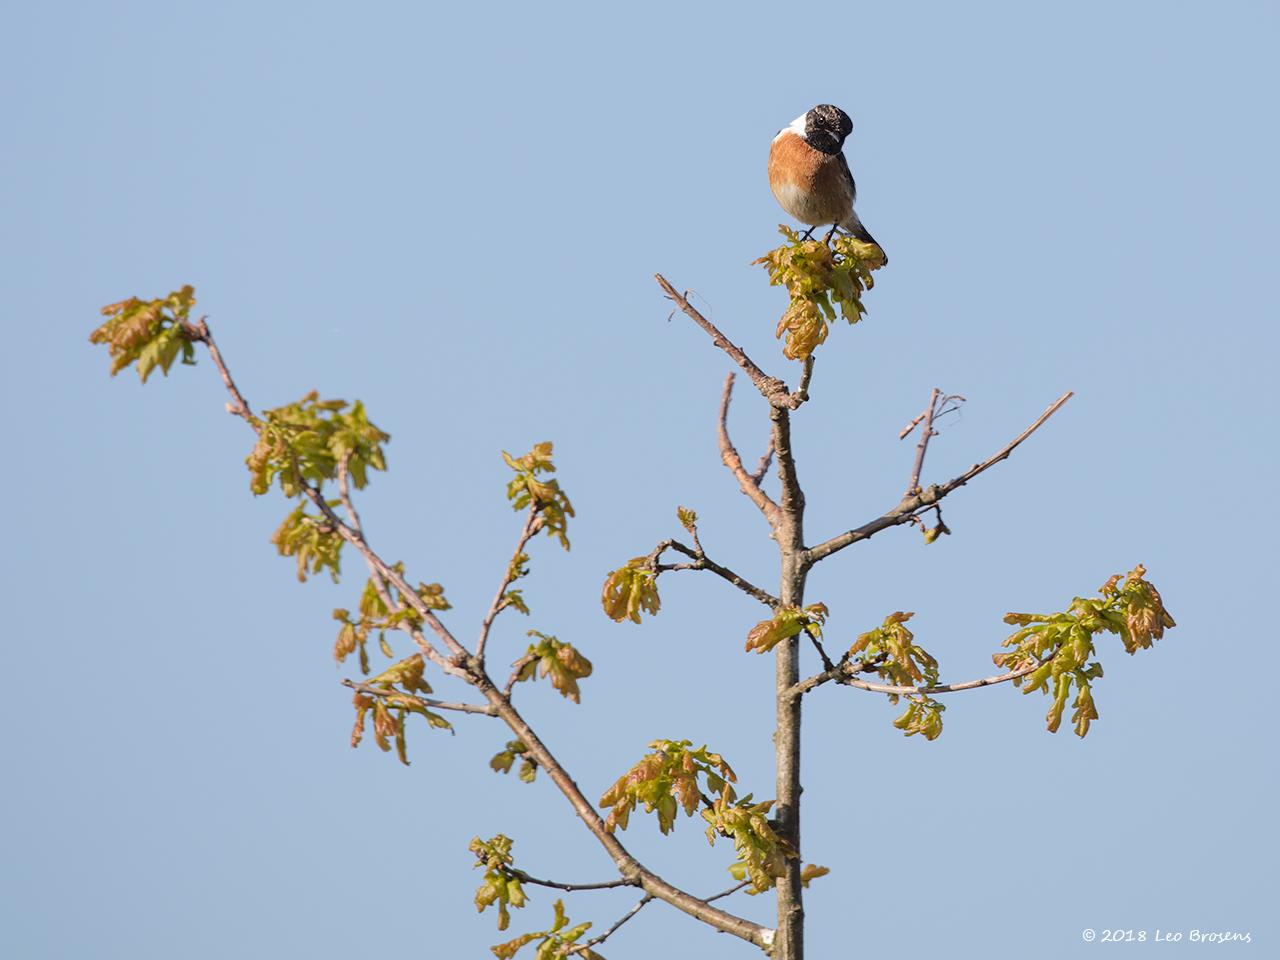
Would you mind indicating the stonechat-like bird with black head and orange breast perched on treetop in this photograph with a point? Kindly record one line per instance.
(810, 176)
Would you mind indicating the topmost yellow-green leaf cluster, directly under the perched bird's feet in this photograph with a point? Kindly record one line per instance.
(820, 278)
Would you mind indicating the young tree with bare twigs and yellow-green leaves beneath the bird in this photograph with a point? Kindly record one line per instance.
(319, 452)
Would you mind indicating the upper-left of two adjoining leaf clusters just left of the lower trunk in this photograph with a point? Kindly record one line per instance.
(666, 781)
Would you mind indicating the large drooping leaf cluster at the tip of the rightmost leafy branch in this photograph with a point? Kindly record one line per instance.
(1063, 644)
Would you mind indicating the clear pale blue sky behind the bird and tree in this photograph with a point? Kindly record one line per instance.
(455, 216)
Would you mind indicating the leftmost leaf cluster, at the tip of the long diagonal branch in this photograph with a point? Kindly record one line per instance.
(152, 333)
